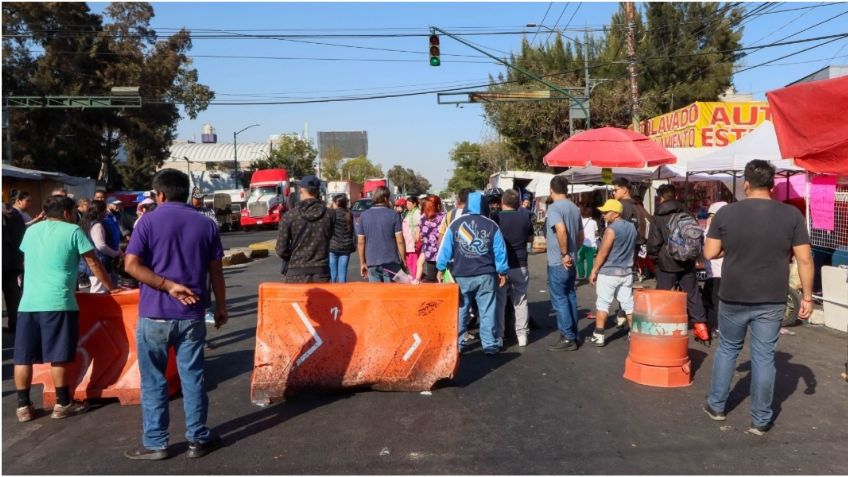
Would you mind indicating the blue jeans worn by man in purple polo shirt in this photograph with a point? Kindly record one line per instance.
(154, 337)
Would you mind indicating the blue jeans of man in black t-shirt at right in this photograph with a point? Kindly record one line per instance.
(734, 319)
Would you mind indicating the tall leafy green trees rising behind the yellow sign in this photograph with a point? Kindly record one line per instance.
(680, 60)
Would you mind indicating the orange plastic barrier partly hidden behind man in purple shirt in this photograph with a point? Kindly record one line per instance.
(107, 363)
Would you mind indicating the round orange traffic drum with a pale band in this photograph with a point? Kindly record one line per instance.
(659, 340)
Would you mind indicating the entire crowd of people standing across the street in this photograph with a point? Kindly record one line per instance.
(481, 245)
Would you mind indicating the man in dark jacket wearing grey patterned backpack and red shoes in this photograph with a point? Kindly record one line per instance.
(675, 242)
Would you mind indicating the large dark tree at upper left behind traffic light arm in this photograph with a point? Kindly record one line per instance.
(89, 58)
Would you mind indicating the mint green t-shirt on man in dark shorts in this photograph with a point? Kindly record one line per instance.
(52, 250)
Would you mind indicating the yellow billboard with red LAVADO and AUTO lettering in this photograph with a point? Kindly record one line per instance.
(706, 124)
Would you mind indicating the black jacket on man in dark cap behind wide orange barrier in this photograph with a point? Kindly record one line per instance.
(304, 238)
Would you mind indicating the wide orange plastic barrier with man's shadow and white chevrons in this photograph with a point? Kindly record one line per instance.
(326, 337)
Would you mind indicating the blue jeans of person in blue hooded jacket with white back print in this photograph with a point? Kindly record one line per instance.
(480, 289)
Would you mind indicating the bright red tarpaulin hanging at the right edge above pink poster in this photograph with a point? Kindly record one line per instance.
(809, 119)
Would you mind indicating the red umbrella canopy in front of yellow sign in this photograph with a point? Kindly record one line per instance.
(609, 147)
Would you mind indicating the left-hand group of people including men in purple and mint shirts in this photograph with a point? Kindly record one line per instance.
(175, 254)
